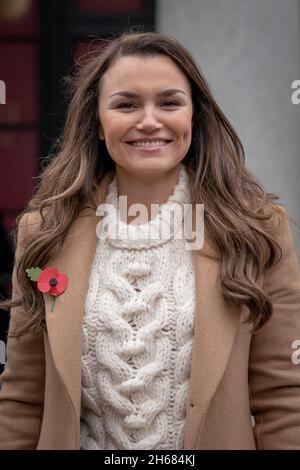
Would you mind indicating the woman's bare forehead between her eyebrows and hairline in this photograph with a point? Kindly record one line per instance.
(143, 73)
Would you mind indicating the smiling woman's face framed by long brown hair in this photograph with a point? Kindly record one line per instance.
(146, 100)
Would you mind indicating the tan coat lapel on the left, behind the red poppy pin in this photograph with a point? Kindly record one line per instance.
(64, 323)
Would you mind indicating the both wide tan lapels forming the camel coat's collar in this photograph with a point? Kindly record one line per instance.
(215, 319)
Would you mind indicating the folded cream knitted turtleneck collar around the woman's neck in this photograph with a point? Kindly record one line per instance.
(157, 231)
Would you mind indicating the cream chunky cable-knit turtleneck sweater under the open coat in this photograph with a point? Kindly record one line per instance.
(137, 335)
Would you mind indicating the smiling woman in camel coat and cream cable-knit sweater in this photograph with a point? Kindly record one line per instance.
(138, 342)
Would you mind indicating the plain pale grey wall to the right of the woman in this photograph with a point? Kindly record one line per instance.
(249, 50)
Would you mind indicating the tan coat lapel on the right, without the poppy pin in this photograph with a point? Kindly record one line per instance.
(215, 327)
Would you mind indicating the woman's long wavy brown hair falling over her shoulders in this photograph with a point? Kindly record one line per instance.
(235, 203)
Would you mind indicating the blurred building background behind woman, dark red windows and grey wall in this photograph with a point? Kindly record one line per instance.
(249, 50)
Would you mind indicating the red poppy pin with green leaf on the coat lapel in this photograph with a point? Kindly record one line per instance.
(49, 280)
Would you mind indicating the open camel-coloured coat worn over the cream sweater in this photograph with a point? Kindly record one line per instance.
(234, 374)
